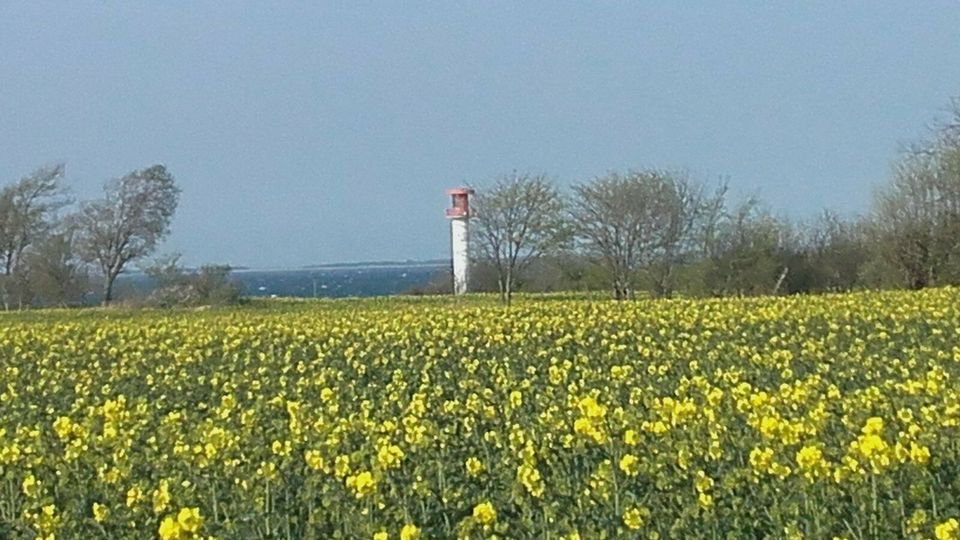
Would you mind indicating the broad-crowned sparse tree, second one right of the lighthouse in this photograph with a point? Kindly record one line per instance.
(632, 220)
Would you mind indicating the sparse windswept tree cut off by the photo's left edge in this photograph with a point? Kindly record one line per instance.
(27, 210)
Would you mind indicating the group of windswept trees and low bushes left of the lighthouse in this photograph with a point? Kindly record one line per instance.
(54, 251)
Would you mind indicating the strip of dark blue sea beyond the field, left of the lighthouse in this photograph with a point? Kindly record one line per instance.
(333, 281)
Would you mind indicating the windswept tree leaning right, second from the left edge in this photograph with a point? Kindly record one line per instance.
(128, 222)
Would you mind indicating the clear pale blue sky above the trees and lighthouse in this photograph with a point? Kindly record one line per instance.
(314, 132)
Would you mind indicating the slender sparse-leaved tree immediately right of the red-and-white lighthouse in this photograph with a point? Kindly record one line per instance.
(517, 219)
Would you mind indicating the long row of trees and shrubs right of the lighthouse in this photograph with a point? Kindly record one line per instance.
(661, 232)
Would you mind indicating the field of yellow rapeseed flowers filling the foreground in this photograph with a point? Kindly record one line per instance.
(807, 417)
